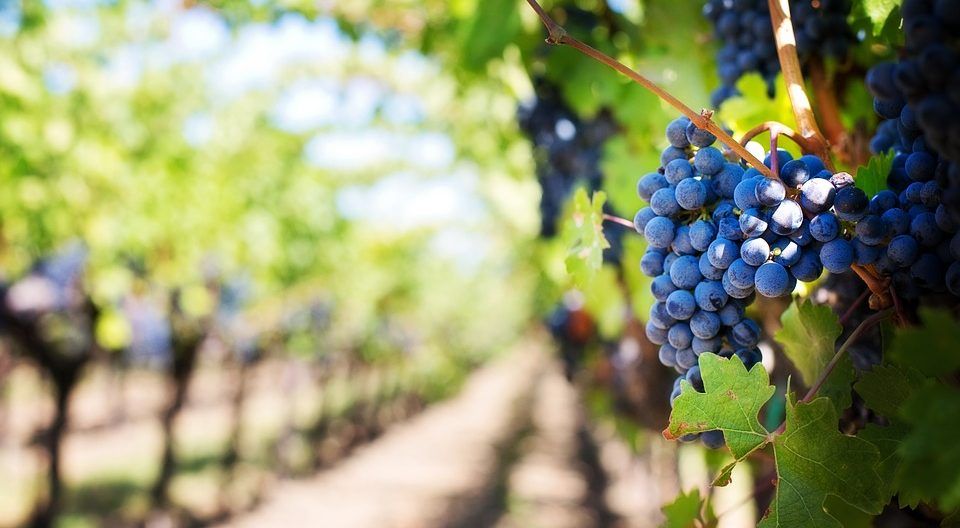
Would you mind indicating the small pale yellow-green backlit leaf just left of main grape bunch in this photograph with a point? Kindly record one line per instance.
(586, 235)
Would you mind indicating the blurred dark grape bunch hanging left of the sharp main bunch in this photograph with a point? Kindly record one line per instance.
(567, 150)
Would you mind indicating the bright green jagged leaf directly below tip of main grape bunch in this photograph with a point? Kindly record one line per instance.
(731, 402)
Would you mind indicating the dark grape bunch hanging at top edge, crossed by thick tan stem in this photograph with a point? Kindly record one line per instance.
(745, 29)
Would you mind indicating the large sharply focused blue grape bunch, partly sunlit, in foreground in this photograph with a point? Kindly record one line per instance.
(719, 234)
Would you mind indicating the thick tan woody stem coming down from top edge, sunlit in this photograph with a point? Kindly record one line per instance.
(793, 76)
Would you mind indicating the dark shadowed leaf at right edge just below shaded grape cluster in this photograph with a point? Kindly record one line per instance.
(930, 348)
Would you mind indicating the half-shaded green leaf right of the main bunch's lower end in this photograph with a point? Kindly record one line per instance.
(809, 336)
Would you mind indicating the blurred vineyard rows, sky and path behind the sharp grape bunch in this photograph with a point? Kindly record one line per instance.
(270, 263)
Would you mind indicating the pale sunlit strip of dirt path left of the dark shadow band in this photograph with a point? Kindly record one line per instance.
(429, 471)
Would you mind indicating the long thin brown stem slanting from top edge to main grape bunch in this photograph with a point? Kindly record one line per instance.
(557, 35)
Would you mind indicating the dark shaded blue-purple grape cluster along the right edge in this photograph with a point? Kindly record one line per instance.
(912, 226)
